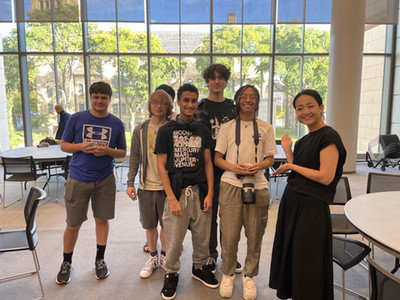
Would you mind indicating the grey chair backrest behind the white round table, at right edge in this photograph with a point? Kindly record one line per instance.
(383, 182)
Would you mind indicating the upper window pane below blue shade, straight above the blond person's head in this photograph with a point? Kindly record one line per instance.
(164, 39)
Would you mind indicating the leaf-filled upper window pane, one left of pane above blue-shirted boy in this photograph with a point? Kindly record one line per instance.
(68, 37)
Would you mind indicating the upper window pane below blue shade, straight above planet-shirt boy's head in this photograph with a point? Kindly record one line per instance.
(195, 38)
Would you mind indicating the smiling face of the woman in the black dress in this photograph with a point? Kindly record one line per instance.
(308, 111)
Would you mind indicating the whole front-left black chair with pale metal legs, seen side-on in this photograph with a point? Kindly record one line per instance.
(24, 239)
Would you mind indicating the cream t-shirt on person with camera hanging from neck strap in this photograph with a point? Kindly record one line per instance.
(226, 145)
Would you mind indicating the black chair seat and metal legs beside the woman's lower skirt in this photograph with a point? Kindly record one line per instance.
(347, 253)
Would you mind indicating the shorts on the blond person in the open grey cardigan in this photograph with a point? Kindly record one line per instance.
(151, 207)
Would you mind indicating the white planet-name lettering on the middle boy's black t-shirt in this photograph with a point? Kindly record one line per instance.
(186, 149)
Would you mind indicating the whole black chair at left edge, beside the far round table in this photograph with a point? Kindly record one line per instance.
(19, 169)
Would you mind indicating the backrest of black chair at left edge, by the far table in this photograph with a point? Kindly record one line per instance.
(18, 166)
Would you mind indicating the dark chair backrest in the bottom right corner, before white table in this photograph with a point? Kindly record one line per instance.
(384, 285)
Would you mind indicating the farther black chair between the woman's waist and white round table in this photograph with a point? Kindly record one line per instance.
(340, 224)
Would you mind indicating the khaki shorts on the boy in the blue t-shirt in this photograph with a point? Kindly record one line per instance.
(78, 194)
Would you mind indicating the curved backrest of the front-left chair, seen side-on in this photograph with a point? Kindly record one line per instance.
(35, 195)
